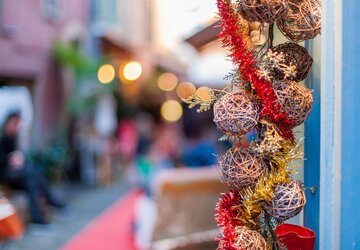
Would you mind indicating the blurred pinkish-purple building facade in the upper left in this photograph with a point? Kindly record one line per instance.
(28, 30)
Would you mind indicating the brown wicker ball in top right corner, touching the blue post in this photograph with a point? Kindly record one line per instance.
(302, 21)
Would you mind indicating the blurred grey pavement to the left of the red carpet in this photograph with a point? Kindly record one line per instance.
(85, 203)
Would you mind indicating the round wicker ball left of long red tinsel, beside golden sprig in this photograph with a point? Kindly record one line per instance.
(235, 113)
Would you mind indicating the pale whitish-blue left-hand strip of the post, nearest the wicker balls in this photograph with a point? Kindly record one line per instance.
(330, 118)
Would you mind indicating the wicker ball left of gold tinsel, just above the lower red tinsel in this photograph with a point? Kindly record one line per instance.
(241, 167)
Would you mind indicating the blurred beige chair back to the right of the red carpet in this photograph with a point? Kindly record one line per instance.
(185, 200)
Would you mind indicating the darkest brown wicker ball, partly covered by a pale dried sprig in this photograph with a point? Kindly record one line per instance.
(296, 55)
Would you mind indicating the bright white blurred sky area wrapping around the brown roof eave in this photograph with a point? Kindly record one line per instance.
(180, 19)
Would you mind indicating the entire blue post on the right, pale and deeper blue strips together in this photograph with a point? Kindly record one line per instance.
(340, 133)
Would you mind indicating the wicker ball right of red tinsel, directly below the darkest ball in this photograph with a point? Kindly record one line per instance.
(295, 100)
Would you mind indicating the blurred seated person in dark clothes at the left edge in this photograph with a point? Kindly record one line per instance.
(18, 174)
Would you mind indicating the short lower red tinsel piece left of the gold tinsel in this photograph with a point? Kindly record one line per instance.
(226, 211)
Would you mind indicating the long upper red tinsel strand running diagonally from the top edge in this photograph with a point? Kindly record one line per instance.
(244, 58)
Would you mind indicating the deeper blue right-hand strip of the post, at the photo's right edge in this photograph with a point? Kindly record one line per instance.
(350, 160)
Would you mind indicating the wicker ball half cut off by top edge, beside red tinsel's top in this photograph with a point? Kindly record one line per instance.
(263, 11)
